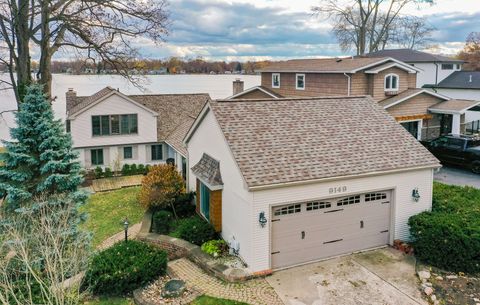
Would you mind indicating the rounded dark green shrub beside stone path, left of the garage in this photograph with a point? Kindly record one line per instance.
(125, 267)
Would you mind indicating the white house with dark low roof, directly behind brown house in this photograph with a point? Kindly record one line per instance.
(434, 68)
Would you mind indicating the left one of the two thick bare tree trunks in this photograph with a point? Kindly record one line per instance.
(24, 77)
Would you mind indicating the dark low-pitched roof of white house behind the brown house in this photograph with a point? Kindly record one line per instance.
(408, 55)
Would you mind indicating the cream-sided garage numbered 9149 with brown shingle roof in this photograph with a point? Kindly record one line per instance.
(290, 181)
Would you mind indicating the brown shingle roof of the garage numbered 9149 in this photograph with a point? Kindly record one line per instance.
(292, 140)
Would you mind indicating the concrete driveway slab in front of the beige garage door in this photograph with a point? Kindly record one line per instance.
(378, 277)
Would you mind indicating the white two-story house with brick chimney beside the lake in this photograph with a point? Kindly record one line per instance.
(110, 128)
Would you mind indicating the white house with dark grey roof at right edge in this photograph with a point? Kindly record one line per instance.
(461, 85)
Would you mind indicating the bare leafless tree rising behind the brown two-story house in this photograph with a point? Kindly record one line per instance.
(364, 25)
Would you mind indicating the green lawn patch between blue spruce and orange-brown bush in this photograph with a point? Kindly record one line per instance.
(107, 210)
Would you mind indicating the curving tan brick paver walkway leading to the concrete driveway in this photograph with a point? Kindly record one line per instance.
(255, 292)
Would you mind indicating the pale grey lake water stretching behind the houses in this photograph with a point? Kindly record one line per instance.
(218, 86)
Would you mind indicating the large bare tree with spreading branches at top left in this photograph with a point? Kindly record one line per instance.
(95, 29)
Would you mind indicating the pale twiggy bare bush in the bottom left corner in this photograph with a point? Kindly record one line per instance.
(40, 254)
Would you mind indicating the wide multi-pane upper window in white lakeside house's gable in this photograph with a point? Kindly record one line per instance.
(104, 125)
